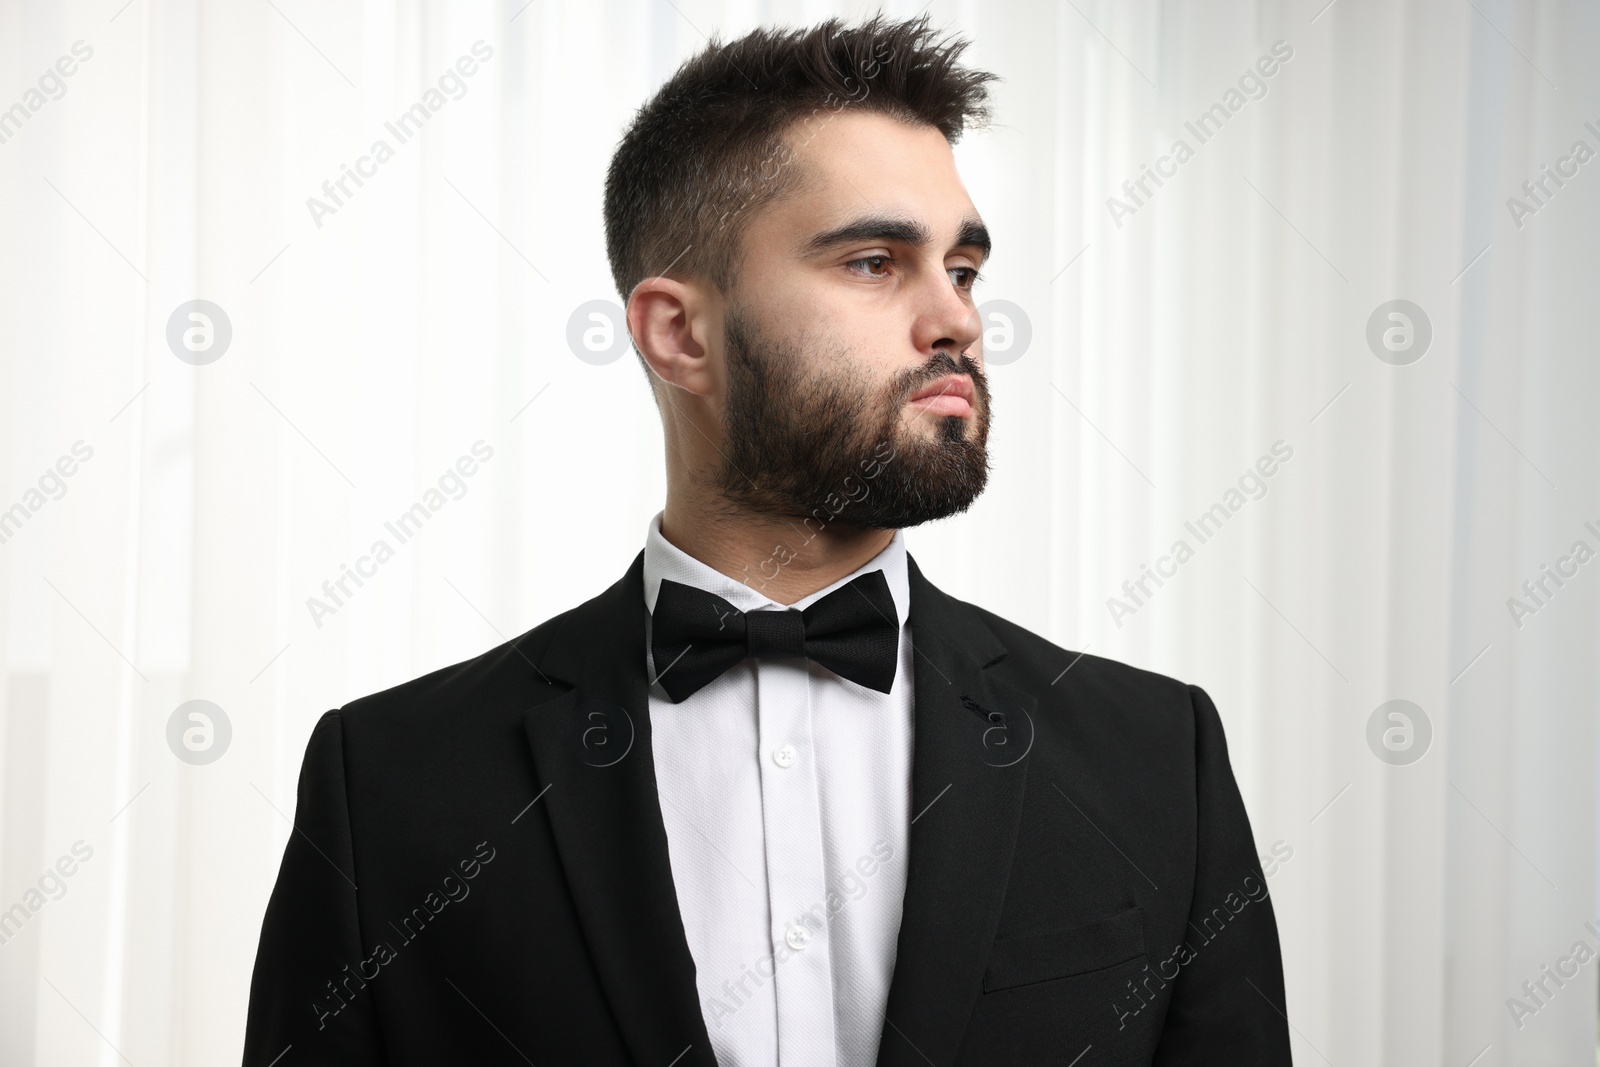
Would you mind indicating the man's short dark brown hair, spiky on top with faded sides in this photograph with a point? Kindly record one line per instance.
(710, 148)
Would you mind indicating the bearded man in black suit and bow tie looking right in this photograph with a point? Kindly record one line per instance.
(774, 797)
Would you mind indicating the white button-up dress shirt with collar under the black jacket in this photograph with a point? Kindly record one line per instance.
(786, 796)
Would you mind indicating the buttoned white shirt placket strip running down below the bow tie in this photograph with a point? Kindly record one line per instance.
(796, 877)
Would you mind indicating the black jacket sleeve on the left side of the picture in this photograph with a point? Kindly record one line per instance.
(308, 1004)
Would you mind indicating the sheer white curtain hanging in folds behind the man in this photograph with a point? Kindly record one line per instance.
(178, 505)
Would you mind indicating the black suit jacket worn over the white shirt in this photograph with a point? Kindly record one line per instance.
(479, 869)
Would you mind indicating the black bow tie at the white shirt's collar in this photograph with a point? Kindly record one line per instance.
(697, 636)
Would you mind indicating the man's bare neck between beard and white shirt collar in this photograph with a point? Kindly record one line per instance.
(783, 559)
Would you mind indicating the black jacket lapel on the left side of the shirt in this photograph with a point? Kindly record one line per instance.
(593, 756)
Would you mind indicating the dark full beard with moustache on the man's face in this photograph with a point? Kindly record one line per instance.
(841, 447)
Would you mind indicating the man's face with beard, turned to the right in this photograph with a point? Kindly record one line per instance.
(855, 386)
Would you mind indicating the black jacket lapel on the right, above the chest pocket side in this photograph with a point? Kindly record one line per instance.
(969, 769)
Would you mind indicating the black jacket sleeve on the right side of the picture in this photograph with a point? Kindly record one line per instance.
(1228, 1004)
